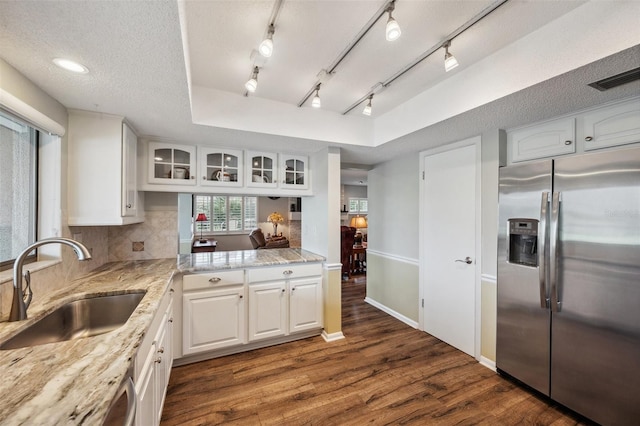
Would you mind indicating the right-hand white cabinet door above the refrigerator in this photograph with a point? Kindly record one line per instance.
(615, 125)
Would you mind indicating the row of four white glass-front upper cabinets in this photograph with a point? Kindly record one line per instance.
(177, 167)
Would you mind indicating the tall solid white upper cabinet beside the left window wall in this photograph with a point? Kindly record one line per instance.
(102, 176)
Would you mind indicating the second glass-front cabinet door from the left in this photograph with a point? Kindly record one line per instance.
(220, 167)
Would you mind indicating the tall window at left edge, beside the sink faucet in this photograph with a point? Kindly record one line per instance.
(18, 187)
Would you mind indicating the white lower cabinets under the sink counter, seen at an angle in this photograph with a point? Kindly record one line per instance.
(153, 366)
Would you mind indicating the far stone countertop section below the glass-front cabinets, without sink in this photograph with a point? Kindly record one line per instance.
(244, 259)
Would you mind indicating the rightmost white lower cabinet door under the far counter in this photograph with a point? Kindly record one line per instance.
(305, 304)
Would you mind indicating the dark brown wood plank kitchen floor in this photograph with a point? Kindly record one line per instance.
(383, 372)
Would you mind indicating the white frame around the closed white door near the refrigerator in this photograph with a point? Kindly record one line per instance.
(477, 142)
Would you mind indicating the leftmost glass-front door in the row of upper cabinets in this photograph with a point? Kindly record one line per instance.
(172, 164)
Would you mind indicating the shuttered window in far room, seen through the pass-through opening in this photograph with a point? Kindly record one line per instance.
(226, 213)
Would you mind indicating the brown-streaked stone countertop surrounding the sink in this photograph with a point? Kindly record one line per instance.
(74, 382)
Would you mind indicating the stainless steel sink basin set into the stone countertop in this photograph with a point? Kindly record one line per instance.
(77, 319)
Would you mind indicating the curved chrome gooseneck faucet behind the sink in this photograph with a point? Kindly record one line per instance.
(20, 305)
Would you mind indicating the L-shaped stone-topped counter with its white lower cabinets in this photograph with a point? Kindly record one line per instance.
(75, 381)
